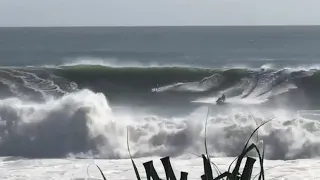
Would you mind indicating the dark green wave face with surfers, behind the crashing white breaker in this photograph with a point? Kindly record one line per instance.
(158, 83)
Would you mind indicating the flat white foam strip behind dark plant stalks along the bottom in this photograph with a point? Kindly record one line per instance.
(71, 169)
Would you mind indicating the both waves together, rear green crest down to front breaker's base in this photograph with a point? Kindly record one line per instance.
(84, 110)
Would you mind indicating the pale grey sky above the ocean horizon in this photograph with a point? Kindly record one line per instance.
(158, 12)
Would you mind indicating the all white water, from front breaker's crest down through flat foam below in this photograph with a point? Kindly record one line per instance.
(83, 125)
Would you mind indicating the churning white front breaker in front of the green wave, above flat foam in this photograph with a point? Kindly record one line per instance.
(83, 124)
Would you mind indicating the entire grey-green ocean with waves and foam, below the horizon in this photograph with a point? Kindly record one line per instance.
(69, 95)
